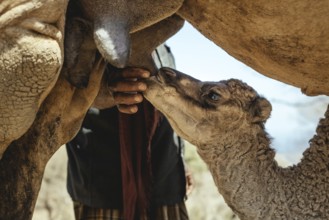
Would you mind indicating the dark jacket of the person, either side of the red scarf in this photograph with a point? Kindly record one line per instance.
(94, 168)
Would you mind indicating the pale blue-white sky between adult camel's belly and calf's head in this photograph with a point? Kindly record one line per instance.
(288, 126)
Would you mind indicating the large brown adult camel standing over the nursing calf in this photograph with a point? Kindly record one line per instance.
(286, 42)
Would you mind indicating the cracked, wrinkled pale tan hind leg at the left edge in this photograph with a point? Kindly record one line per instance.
(31, 56)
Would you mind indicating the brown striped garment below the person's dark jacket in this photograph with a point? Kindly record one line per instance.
(172, 212)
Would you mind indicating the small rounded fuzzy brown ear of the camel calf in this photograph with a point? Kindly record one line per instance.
(260, 110)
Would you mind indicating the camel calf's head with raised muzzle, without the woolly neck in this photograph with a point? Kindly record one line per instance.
(201, 112)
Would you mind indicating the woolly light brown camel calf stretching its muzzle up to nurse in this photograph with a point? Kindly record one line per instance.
(225, 121)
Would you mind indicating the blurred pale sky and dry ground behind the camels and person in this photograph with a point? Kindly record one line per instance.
(292, 124)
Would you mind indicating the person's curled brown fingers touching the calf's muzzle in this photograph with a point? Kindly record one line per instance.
(127, 89)
